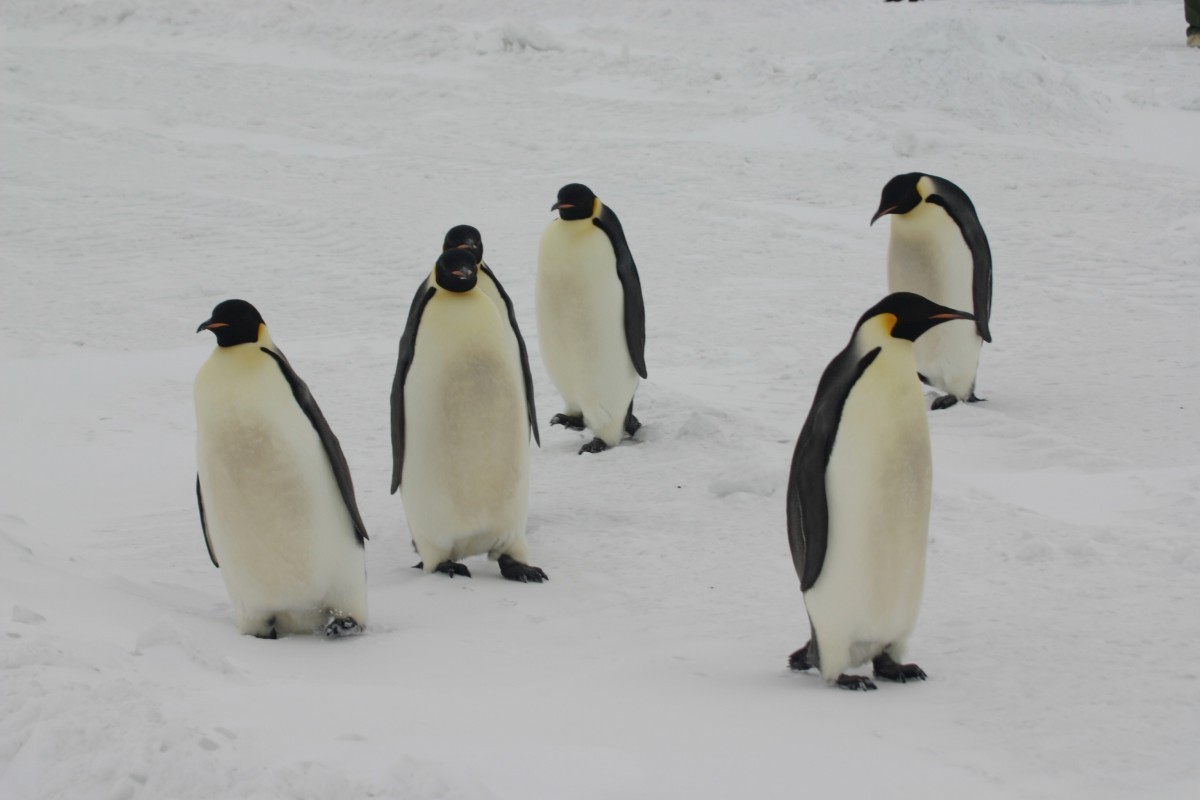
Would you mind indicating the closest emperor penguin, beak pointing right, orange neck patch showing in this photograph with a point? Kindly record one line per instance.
(859, 498)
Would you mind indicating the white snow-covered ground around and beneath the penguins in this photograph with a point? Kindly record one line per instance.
(161, 157)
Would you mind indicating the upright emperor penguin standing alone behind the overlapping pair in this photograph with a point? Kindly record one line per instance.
(591, 318)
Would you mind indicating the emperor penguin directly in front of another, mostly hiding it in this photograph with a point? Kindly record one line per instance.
(463, 412)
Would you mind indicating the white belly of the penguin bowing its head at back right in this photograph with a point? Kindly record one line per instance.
(929, 257)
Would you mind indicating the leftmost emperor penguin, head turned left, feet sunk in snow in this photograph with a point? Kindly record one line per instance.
(274, 490)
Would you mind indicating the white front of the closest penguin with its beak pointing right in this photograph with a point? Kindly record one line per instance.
(878, 484)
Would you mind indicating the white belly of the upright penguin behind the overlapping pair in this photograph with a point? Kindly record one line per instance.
(581, 326)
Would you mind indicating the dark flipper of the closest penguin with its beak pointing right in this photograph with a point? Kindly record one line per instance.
(808, 506)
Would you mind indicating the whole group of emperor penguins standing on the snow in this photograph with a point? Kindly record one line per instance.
(278, 506)
